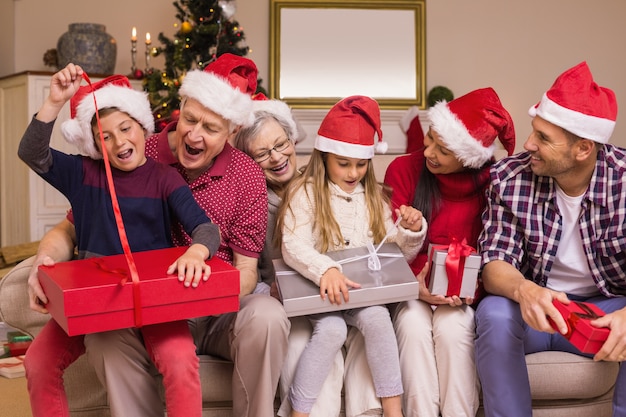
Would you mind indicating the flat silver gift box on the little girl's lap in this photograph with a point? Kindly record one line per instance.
(394, 282)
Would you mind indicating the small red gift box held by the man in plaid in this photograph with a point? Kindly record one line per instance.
(580, 332)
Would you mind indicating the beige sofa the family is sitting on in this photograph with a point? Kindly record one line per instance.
(562, 384)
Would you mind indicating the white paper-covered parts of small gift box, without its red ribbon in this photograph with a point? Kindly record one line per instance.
(439, 284)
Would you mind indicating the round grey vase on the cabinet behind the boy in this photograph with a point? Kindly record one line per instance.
(88, 45)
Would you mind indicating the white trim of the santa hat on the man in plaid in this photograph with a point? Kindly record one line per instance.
(586, 126)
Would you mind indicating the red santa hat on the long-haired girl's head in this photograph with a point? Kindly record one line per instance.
(349, 128)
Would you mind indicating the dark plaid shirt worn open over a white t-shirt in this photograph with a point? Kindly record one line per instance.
(522, 223)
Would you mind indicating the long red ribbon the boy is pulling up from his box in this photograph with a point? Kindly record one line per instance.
(134, 275)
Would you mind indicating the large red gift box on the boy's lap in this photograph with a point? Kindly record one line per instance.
(93, 285)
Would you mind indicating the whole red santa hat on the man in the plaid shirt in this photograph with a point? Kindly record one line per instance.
(579, 105)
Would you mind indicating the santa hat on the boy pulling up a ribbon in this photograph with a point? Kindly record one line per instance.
(114, 91)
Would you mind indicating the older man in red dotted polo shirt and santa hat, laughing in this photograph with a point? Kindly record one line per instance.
(231, 187)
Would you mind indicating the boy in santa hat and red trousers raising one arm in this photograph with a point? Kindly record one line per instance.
(150, 195)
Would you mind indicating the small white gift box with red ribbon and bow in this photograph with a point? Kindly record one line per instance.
(453, 270)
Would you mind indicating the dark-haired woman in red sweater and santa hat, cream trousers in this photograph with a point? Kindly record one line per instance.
(446, 181)
